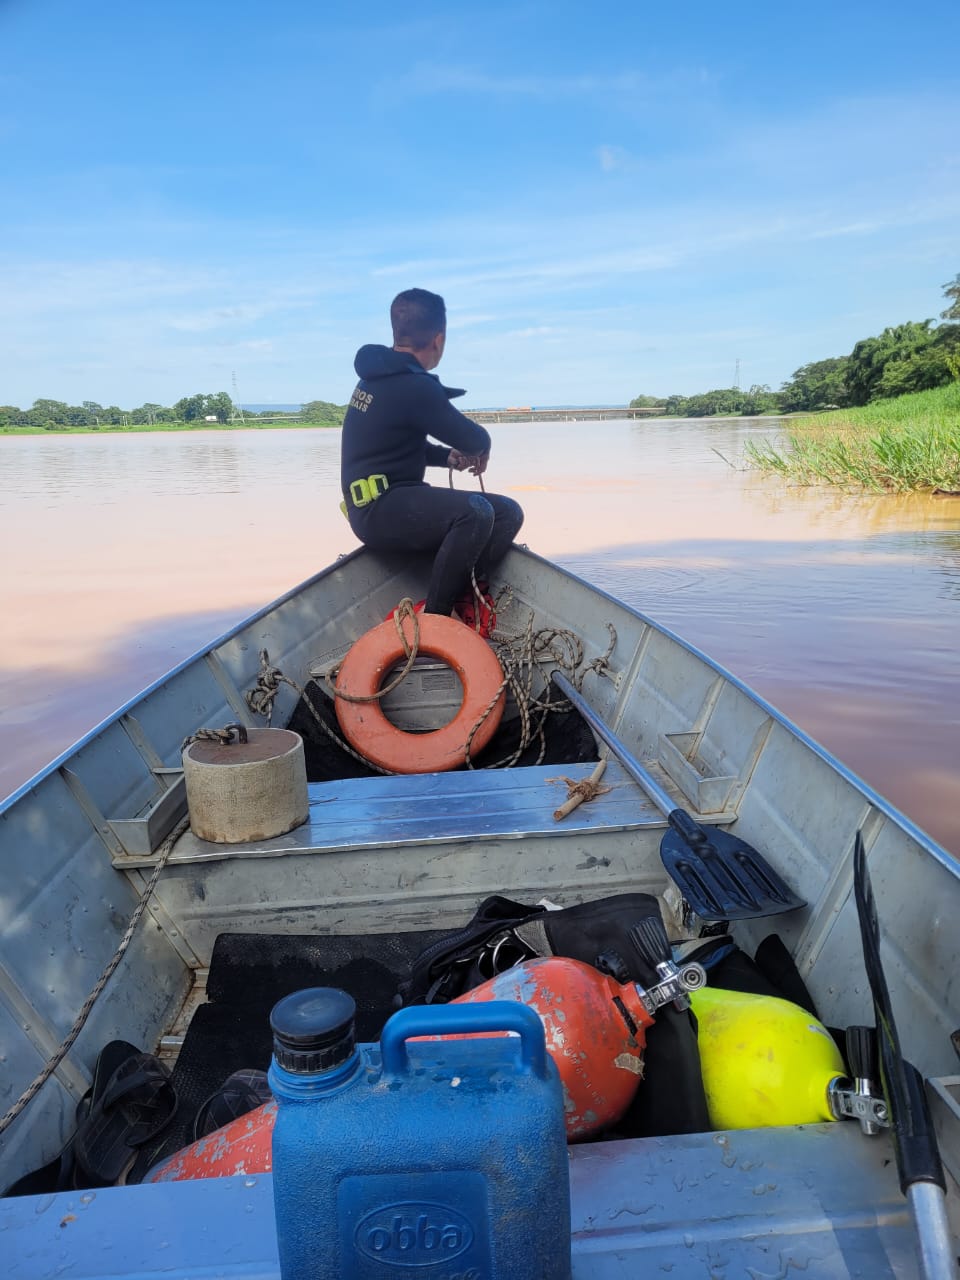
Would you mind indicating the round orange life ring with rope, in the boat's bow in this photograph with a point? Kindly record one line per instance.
(368, 729)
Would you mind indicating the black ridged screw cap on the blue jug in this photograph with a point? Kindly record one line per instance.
(314, 1030)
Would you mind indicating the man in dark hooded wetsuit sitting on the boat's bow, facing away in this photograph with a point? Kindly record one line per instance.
(399, 403)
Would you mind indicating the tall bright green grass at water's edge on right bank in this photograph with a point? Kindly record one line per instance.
(897, 446)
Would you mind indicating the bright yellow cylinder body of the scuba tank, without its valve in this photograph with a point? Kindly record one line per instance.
(765, 1062)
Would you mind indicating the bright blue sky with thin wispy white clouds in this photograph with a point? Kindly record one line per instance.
(615, 200)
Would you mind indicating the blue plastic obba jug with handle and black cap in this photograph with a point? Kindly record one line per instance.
(432, 1159)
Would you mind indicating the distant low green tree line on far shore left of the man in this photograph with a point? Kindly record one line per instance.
(202, 409)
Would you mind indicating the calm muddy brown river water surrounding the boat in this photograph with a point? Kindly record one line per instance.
(126, 554)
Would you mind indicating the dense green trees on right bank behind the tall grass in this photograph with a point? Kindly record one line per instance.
(908, 358)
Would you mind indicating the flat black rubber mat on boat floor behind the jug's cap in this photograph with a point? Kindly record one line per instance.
(249, 973)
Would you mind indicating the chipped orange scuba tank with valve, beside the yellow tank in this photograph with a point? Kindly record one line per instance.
(596, 1026)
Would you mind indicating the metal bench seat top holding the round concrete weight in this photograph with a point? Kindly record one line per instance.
(432, 808)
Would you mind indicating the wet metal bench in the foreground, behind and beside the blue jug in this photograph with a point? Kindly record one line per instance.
(821, 1200)
